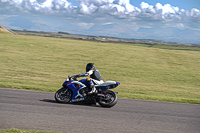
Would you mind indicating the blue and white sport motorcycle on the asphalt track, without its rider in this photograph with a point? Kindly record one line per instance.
(76, 91)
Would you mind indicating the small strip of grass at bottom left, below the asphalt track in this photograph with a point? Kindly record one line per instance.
(13, 130)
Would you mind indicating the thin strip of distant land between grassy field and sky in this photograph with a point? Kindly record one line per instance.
(149, 42)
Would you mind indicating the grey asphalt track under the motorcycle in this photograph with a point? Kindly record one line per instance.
(34, 110)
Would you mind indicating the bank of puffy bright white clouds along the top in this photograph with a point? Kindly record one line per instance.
(88, 7)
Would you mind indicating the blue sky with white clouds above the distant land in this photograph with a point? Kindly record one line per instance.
(166, 20)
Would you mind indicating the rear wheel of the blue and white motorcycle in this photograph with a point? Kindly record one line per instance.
(109, 100)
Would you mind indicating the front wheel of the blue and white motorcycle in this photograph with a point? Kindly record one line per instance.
(63, 96)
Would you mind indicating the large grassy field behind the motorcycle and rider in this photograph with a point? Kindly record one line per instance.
(149, 73)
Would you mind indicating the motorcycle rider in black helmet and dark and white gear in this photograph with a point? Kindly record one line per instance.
(95, 77)
